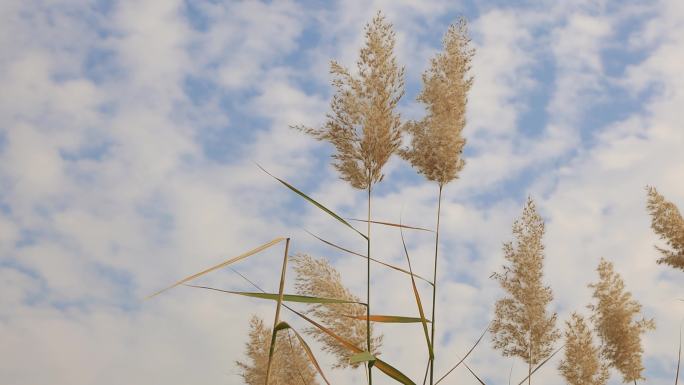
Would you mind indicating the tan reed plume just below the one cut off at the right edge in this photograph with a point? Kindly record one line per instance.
(613, 317)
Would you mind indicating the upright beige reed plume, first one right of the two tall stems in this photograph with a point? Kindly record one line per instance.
(522, 327)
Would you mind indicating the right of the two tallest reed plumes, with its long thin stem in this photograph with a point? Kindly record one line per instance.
(436, 141)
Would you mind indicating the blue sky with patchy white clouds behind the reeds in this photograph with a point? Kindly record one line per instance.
(129, 132)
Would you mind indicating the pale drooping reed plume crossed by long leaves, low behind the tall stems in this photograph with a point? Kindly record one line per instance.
(316, 277)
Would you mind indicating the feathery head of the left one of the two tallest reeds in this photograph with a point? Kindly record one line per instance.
(363, 125)
